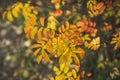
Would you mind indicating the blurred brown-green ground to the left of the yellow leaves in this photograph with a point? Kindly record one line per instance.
(16, 56)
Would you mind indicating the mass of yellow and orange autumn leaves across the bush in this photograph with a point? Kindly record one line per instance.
(66, 34)
